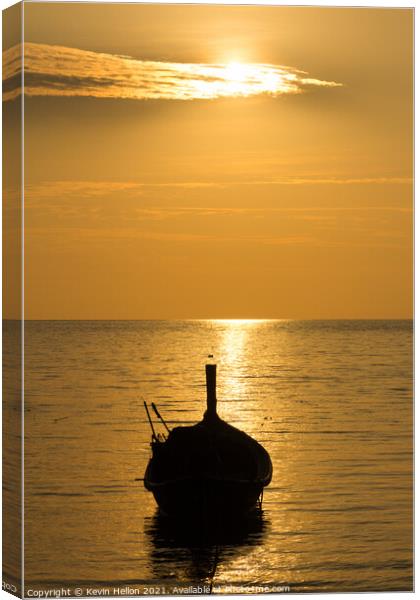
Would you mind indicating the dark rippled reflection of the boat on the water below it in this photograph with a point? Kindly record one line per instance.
(181, 553)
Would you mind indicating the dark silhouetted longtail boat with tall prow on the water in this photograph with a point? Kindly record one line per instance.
(207, 469)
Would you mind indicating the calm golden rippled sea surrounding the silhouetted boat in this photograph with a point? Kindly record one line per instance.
(330, 400)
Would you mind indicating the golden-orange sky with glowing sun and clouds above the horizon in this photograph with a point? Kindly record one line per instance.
(216, 161)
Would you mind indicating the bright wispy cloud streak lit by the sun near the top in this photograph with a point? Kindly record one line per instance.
(62, 71)
